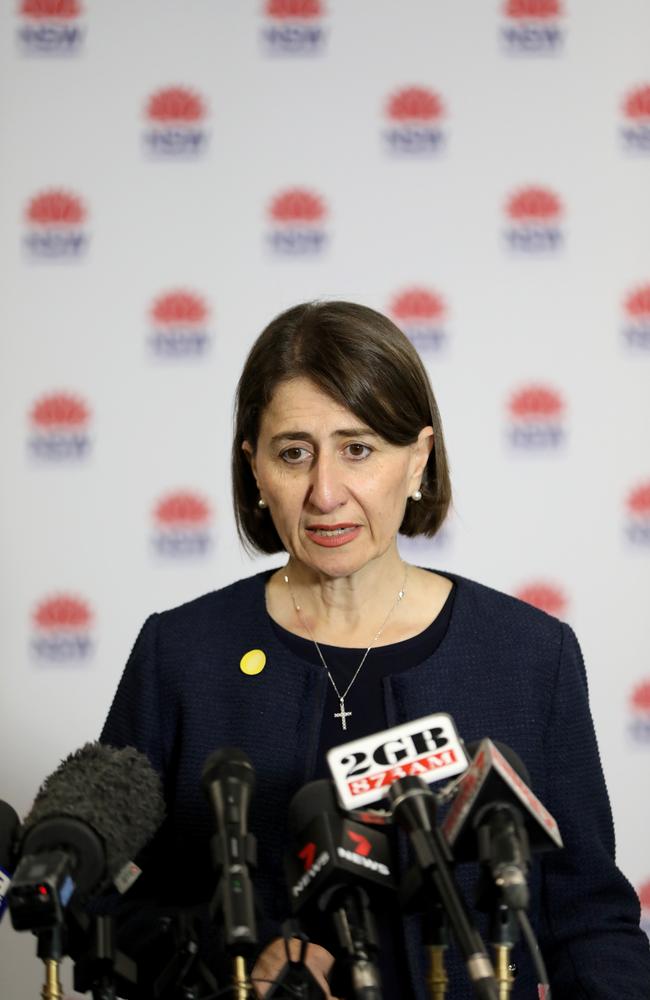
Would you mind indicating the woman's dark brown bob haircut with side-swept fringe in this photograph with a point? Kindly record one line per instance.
(363, 362)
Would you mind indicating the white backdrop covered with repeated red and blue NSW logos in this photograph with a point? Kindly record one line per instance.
(176, 173)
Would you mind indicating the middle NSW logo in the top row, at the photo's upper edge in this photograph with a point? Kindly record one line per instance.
(293, 28)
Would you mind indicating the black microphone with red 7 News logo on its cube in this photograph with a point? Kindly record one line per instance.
(333, 869)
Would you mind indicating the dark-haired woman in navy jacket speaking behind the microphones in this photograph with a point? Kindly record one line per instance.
(338, 447)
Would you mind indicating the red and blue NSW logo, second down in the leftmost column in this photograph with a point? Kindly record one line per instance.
(55, 226)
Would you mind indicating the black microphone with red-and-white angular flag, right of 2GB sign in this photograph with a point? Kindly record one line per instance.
(496, 819)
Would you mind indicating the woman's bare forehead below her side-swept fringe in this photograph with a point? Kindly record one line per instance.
(300, 403)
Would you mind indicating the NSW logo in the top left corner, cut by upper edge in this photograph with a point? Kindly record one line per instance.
(50, 27)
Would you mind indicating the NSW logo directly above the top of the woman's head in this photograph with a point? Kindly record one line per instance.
(297, 223)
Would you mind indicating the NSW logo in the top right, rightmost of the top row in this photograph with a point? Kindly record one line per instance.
(532, 27)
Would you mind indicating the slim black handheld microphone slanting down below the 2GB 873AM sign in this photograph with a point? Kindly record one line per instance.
(414, 808)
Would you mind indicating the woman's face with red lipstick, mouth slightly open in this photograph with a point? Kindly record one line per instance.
(335, 489)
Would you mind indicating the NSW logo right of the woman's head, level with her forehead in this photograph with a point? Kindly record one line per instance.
(536, 418)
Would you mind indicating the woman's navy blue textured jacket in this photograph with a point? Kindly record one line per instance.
(504, 670)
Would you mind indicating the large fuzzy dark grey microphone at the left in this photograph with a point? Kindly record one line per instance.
(90, 817)
